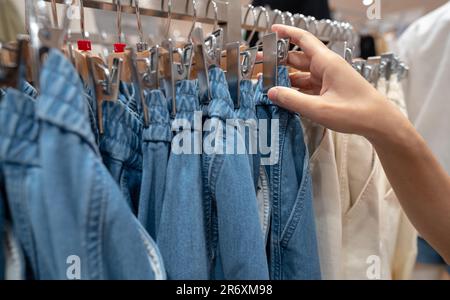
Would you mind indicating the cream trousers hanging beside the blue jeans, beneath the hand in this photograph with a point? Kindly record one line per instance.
(361, 229)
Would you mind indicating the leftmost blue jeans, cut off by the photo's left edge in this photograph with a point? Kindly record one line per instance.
(22, 173)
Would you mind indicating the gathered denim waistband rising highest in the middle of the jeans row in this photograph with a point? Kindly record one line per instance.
(221, 105)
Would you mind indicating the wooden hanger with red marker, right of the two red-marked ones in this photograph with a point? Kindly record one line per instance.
(120, 50)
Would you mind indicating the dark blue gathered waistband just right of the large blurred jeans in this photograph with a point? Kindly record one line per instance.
(122, 135)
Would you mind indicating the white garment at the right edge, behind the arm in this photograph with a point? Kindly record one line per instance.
(425, 47)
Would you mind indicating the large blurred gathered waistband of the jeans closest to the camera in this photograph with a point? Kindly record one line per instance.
(62, 101)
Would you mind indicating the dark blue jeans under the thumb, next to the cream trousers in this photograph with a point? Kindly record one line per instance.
(293, 252)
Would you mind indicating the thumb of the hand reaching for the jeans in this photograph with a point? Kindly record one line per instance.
(307, 105)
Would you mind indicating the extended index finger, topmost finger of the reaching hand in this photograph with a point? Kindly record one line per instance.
(305, 40)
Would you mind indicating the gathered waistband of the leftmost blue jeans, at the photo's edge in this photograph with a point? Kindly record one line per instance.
(19, 129)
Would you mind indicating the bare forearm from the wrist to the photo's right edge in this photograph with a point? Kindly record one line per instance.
(420, 183)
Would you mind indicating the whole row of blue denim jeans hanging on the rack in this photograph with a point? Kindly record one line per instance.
(89, 205)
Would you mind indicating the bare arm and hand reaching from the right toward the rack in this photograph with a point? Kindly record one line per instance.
(332, 94)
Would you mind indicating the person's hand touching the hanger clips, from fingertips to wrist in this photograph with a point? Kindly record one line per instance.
(331, 92)
